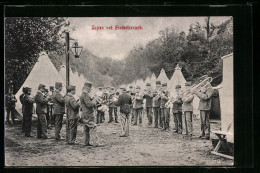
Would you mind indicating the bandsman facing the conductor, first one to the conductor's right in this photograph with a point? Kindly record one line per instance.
(138, 106)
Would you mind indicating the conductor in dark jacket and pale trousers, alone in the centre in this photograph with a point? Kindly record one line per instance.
(124, 101)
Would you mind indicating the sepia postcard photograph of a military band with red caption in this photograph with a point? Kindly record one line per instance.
(119, 91)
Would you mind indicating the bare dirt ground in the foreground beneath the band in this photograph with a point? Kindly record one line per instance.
(144, 147)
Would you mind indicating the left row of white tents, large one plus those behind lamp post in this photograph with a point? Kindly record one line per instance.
(45, 73)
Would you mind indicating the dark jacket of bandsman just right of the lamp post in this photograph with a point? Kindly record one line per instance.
(73, 106)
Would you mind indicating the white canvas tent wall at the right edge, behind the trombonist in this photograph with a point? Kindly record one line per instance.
(226, 94)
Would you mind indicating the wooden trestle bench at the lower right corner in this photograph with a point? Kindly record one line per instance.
(224, 137)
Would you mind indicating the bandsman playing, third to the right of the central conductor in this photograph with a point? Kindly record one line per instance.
(156, 105)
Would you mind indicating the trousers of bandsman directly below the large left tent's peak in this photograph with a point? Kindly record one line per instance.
(41, 126)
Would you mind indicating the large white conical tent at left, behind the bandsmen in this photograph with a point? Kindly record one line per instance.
(43, 72)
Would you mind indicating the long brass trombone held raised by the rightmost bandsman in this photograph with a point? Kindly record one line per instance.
(196, 87)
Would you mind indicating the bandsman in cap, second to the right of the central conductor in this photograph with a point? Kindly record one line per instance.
(149, 104)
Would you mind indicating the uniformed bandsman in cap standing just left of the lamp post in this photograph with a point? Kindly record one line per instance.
(58, 111)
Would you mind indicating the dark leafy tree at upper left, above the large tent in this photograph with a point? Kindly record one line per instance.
(25, 38)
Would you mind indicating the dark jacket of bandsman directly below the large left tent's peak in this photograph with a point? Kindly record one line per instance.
(41, 103)
